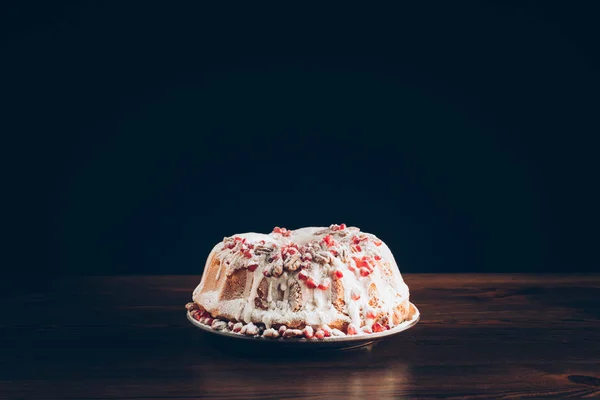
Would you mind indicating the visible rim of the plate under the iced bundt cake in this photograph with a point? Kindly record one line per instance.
(333, 339)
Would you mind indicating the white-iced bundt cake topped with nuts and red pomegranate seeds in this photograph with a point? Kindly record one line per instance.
(311, 282)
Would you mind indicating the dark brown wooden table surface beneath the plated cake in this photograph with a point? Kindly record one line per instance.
(480, 337)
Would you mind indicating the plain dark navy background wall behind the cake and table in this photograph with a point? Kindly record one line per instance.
(137, 135)
